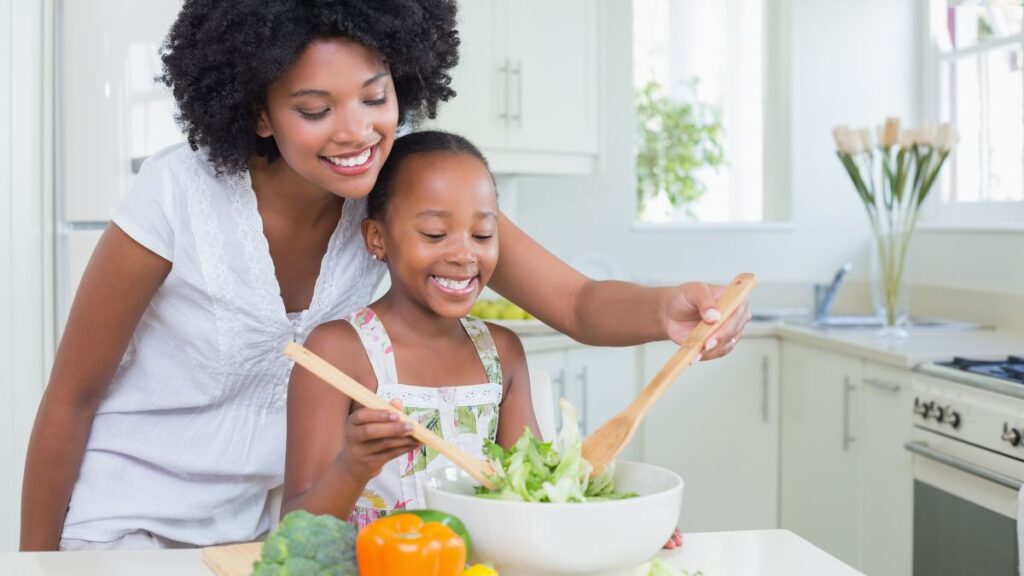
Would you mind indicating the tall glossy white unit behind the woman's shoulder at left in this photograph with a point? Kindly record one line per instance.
(111, 113)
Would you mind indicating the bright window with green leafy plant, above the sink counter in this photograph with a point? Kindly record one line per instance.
(700, 72)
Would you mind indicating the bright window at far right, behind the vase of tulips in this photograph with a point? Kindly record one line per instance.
(975, 79)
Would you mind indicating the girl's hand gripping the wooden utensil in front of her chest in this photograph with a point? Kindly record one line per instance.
(372, 439)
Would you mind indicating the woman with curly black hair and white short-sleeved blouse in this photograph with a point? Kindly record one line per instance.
(163, 424)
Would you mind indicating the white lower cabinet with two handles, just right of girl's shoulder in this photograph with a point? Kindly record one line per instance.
(600, 382)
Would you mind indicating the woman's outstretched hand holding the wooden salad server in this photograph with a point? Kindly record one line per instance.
(689, 305)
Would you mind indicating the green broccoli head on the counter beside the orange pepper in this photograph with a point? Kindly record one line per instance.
(306, 545)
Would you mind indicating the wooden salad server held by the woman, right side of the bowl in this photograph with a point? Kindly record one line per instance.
(602, 447)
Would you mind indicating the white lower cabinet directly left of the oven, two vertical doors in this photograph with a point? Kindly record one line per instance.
(847, 483)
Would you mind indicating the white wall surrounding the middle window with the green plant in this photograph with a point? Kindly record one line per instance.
(848, 63)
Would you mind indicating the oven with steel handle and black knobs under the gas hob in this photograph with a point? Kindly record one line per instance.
(968, 470)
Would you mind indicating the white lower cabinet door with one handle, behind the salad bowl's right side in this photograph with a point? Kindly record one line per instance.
(718, 429)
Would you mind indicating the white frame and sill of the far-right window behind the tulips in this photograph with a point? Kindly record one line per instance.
(936, 215)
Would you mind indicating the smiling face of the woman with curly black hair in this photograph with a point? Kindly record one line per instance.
(334, 115)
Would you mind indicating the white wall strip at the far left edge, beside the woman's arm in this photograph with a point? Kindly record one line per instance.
(25, 262)
